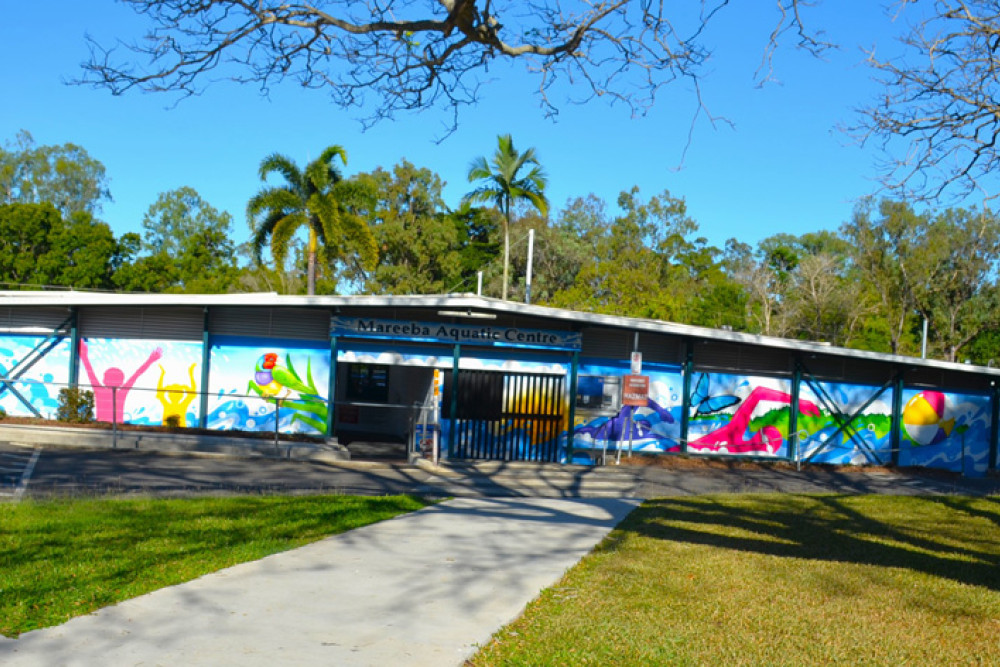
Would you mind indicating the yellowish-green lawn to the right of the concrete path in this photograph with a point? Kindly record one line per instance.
(776, 580)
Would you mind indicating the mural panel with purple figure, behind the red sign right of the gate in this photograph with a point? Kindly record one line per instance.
(601, 423)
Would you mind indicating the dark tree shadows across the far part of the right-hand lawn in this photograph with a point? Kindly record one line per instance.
(952, 538)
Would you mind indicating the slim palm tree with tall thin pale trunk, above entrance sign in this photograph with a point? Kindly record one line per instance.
(502, 187)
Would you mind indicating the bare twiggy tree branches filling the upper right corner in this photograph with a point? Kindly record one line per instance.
(941, 105)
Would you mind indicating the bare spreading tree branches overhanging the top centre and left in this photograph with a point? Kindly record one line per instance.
(394, 55)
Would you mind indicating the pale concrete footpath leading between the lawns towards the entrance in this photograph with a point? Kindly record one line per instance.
(423, 589)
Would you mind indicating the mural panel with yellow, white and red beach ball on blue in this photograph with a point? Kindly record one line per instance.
(945, 430)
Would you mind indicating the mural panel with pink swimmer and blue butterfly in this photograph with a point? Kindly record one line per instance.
(740, 414)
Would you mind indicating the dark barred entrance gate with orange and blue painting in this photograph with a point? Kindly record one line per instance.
(505, 416)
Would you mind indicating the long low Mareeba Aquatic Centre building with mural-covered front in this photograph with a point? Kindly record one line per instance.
(479, 378)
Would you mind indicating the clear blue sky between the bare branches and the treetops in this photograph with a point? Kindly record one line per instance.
(784, 167)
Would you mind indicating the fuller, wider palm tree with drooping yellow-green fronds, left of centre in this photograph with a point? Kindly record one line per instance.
(314, 197)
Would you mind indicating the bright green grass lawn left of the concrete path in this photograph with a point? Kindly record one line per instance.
(63, 558)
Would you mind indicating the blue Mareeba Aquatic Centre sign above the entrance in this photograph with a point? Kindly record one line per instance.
(466, 334)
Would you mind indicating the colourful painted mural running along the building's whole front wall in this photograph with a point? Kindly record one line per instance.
(156, 381)
